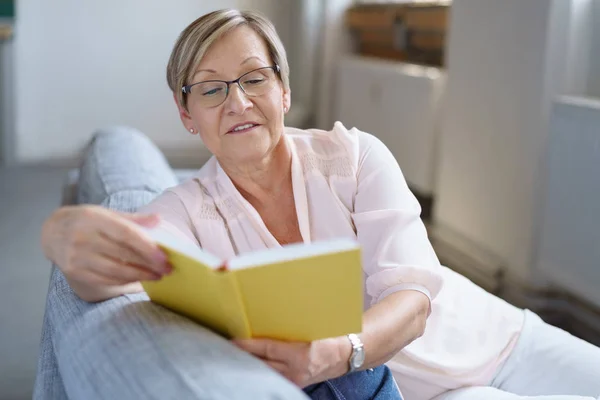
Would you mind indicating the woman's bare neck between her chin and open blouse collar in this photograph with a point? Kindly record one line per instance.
(264, 179)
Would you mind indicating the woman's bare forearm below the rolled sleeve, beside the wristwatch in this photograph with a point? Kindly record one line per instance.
(388, 327)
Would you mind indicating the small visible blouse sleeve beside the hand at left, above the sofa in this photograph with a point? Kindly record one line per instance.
(174, 215)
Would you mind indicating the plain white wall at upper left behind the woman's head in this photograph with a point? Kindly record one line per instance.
(84, 65)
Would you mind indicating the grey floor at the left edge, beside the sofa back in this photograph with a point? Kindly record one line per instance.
(27, 196)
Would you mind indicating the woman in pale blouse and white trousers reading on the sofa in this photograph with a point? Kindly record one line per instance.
(268, 185)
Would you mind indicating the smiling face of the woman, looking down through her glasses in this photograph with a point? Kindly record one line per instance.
(240, 51)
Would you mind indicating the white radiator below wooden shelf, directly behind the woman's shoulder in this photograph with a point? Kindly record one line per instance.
(400, 104)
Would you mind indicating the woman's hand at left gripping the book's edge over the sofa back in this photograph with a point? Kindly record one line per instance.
(100, 251)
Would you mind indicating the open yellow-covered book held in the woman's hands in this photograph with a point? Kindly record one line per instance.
(300, 292)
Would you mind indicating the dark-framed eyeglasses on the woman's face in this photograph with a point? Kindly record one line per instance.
(214, 92)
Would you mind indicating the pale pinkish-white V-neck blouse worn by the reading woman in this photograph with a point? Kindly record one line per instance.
(346, 183)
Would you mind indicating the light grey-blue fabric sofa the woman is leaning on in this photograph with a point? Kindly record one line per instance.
(128, 347)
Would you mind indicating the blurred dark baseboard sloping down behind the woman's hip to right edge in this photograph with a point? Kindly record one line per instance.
(555, 305)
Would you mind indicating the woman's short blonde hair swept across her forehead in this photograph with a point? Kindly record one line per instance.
(195, 40)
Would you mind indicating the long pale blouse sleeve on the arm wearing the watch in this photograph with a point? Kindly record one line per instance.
(397, 254)
